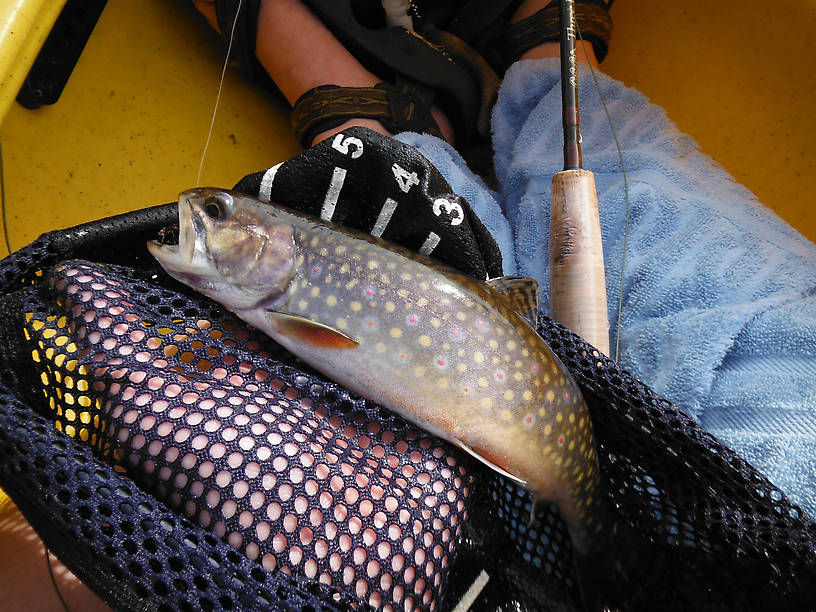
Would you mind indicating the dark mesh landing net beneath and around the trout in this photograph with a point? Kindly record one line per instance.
(174, 459)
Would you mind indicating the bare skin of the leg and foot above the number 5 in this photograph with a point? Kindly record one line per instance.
(299, 54)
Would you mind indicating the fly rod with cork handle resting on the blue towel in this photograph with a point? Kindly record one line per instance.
(577, 278)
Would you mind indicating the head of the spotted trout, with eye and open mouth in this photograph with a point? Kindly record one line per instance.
(230, 248)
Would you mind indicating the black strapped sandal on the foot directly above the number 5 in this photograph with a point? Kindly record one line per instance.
(420, 68)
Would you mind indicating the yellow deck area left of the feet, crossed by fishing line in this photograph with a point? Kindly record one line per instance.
(130, 126)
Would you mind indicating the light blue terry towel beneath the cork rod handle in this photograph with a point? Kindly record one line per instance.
(719, 294)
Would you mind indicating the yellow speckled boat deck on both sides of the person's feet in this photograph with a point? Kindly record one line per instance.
(130, 126)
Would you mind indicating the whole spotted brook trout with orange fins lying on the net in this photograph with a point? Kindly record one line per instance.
(456, 356)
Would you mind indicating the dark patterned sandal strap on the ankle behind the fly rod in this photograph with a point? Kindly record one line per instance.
(545, 26)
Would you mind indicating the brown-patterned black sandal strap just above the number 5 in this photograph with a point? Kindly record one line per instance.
(406, 107)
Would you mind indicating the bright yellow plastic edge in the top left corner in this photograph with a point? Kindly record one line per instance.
(24, 26)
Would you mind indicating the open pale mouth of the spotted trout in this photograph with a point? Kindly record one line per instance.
(189, 256)
